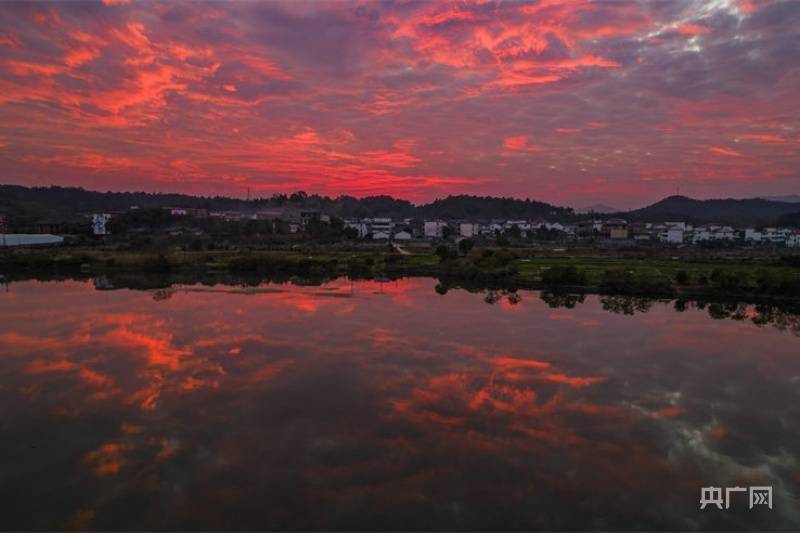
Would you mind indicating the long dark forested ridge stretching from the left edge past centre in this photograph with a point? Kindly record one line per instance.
(31, 203)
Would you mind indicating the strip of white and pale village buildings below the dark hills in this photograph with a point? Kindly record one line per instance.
(296, 223)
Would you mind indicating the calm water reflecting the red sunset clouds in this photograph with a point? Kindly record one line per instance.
(368, 405)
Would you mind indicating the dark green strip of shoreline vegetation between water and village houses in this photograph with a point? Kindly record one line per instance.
(767, 278)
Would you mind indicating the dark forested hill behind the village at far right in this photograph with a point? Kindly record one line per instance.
(753, 211)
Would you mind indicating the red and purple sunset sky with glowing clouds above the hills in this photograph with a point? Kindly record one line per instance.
(573, 102)
